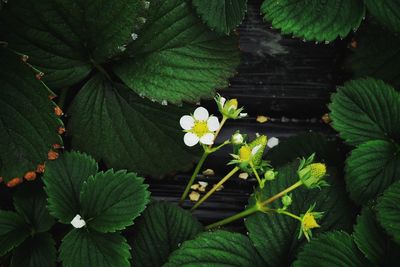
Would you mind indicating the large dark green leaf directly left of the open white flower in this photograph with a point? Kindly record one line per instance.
(114, 125)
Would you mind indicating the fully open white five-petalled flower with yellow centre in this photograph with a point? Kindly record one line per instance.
(199, 128)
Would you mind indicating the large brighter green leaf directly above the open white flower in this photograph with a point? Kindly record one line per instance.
(177, 58)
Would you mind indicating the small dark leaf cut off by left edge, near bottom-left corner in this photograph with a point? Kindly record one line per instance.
(13, 231)
